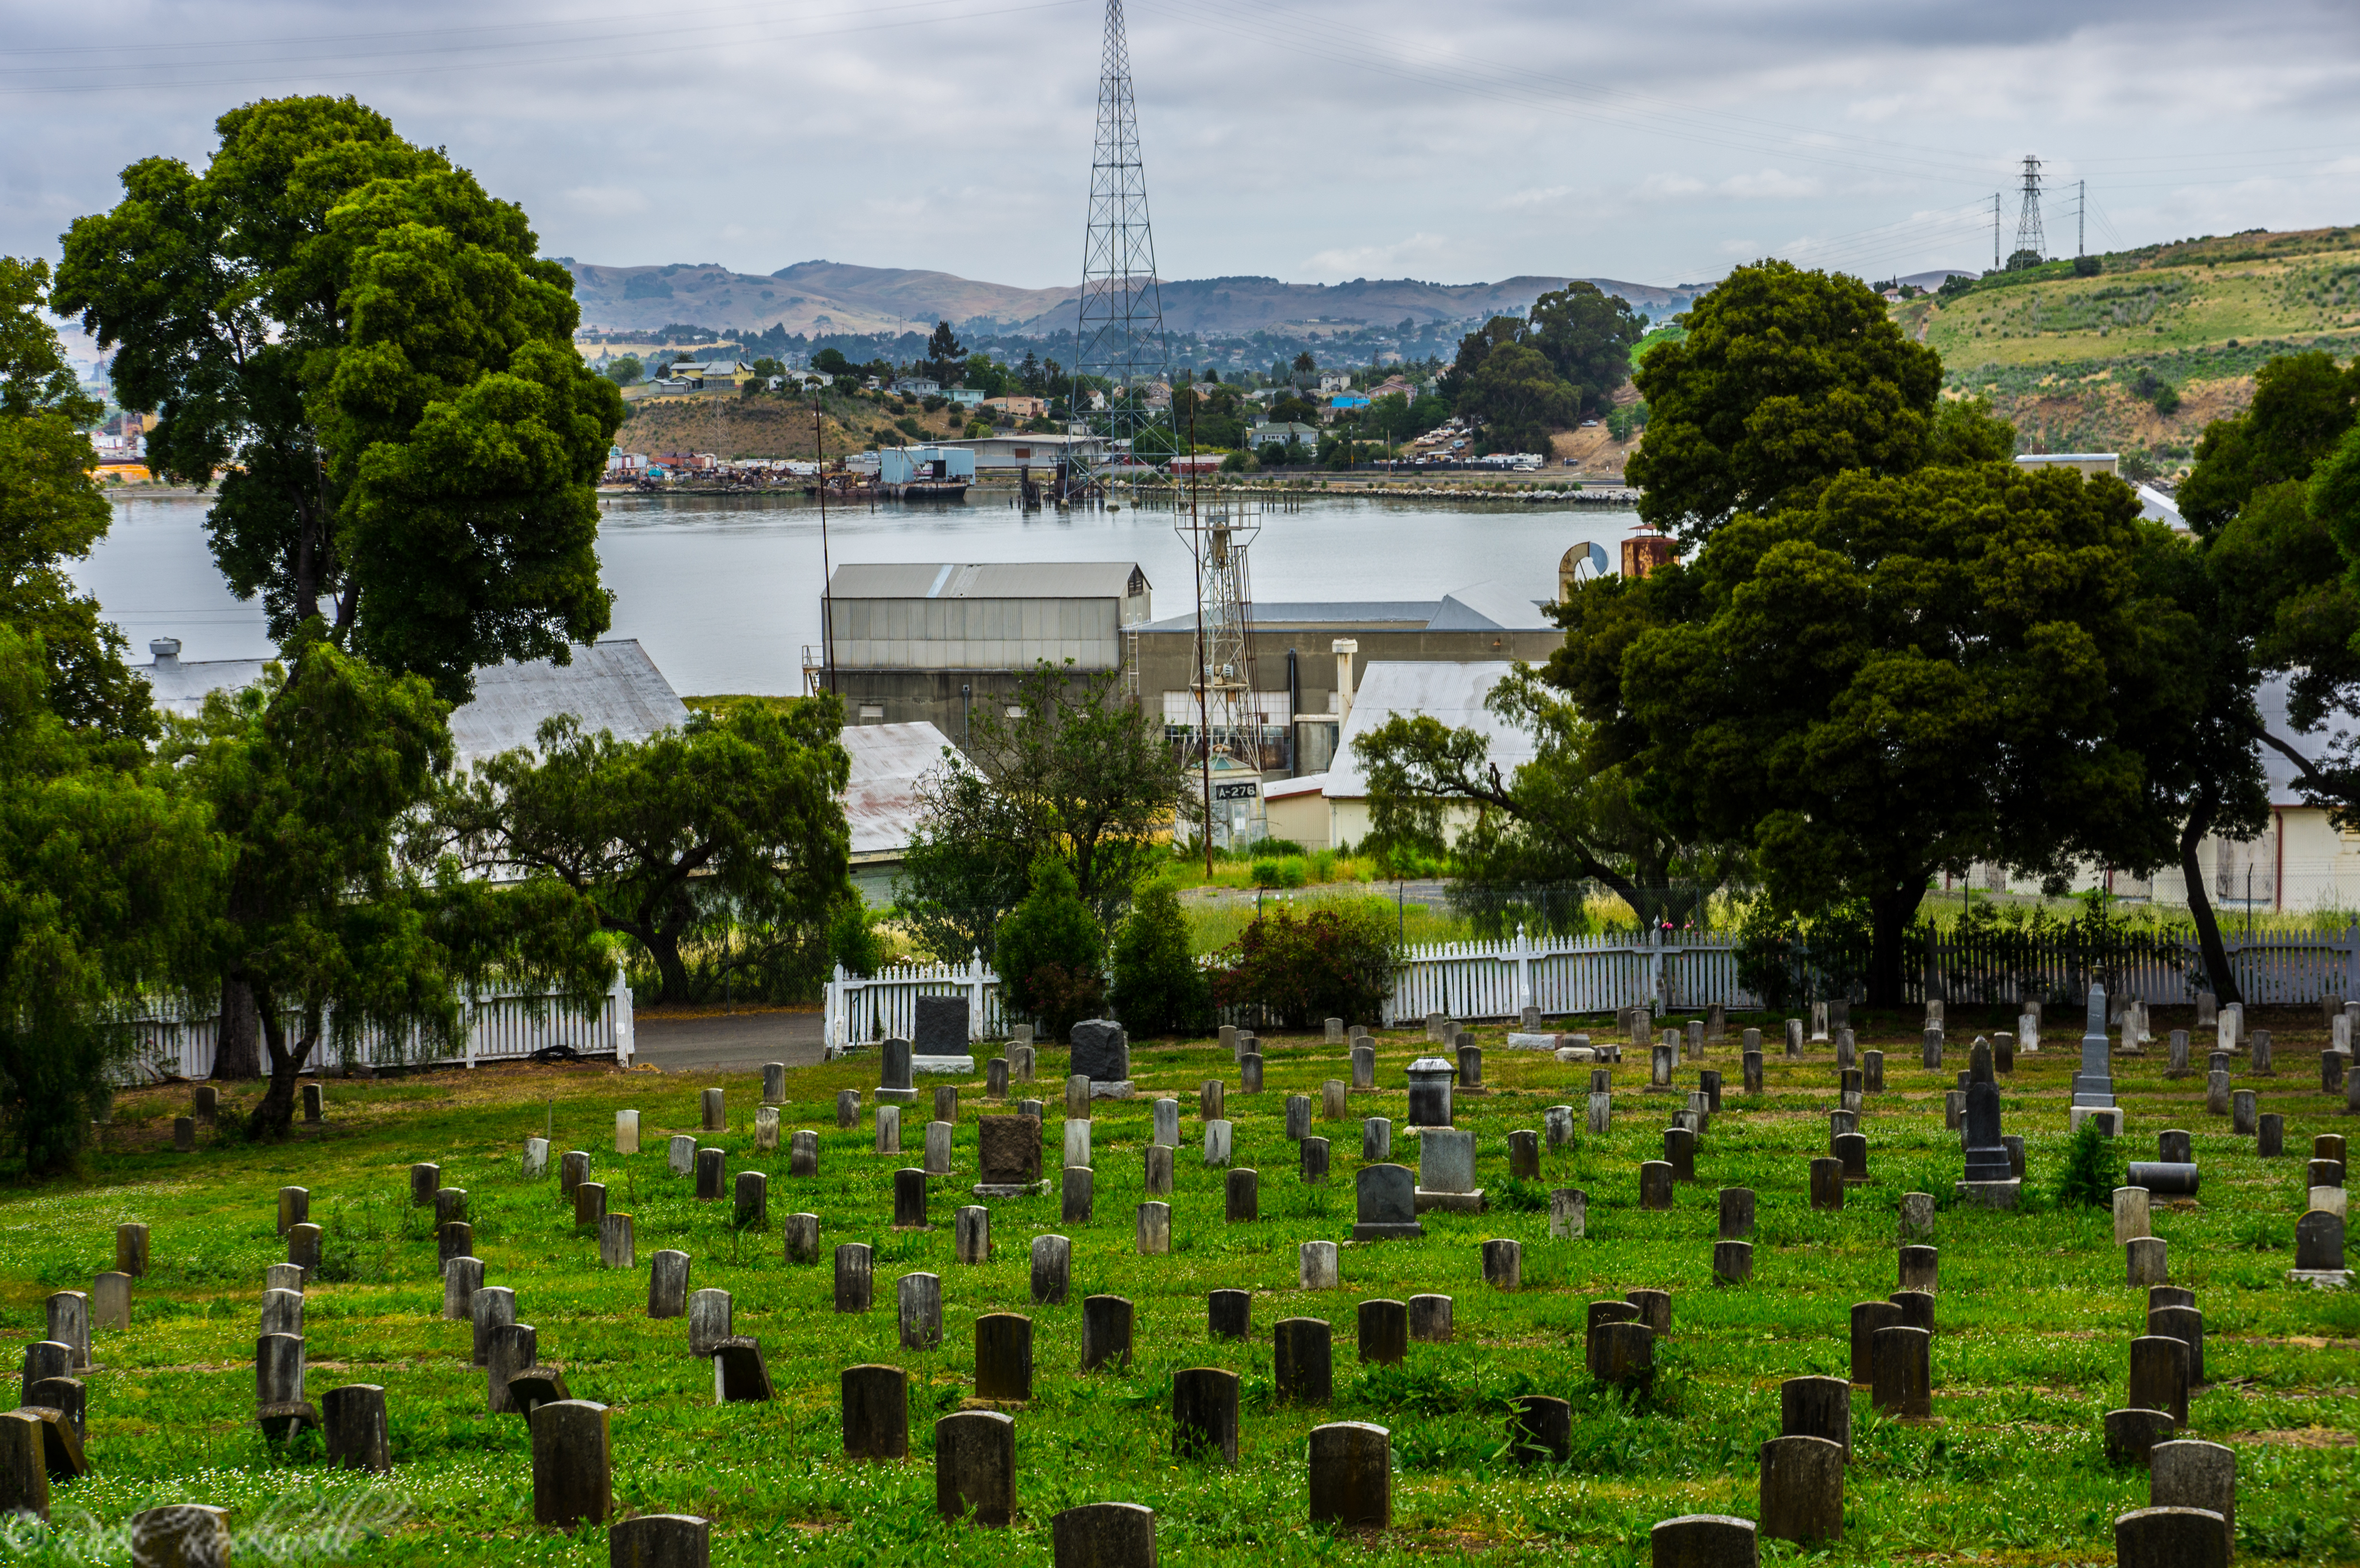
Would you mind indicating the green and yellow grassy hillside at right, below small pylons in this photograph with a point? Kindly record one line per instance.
(2099, 362)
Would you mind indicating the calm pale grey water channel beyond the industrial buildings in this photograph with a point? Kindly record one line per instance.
(726, 592)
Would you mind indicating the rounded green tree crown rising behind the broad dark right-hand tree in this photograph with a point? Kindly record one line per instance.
(1783, 381)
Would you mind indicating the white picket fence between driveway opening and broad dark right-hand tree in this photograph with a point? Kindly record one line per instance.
(1469, 981)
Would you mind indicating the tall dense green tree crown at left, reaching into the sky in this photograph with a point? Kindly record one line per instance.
(369, 353)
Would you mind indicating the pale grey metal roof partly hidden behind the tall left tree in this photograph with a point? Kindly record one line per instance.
(610, 686)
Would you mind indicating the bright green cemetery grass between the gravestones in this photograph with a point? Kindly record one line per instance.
(2033, 1319)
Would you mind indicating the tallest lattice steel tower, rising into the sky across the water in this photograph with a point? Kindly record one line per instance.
(1122, 313)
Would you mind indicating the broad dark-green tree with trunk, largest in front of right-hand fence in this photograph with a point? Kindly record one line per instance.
(1903, 677)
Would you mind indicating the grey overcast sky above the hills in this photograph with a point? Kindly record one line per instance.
(1299, 138)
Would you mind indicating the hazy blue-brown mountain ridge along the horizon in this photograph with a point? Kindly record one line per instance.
(846, 299)
